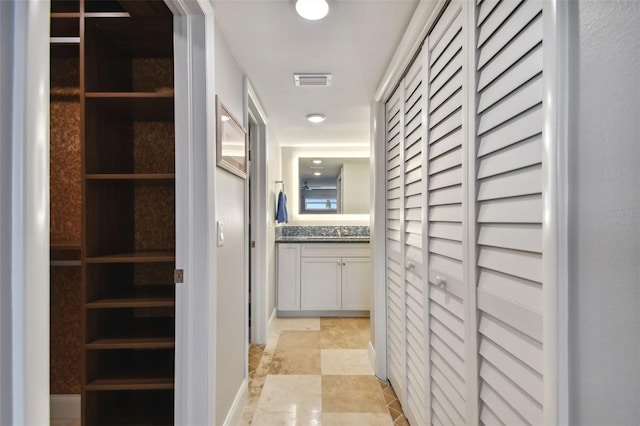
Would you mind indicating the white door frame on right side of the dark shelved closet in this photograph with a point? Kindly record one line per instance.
(195, 384)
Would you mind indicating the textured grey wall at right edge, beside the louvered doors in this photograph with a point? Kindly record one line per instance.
(605, 214)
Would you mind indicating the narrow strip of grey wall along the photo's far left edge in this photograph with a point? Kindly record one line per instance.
(6, 62)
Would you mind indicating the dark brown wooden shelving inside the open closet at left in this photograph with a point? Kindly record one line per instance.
(123, 56)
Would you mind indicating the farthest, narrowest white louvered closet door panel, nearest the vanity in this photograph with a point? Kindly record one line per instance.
(395, 246)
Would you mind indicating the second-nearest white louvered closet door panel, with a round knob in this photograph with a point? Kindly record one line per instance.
(451, 393)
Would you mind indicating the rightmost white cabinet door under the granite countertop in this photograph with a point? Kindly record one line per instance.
(356, 283)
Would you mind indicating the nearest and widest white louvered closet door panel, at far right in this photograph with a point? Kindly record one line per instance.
(509, 211)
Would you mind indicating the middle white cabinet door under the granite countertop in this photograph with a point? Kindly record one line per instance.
(320, 283)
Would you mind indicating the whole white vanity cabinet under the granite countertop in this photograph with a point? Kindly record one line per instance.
(323, 278)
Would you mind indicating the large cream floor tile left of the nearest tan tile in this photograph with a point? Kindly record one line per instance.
(291, 393)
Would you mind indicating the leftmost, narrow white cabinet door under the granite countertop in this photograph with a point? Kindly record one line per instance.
(289, 277)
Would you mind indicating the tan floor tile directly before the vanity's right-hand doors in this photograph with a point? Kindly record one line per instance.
(344, 333)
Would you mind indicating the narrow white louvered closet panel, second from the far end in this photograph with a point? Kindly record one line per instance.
(415, 256)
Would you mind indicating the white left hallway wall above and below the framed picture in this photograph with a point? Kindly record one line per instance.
(231, 266)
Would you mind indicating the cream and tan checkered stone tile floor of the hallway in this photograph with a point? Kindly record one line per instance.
(316, 371)
